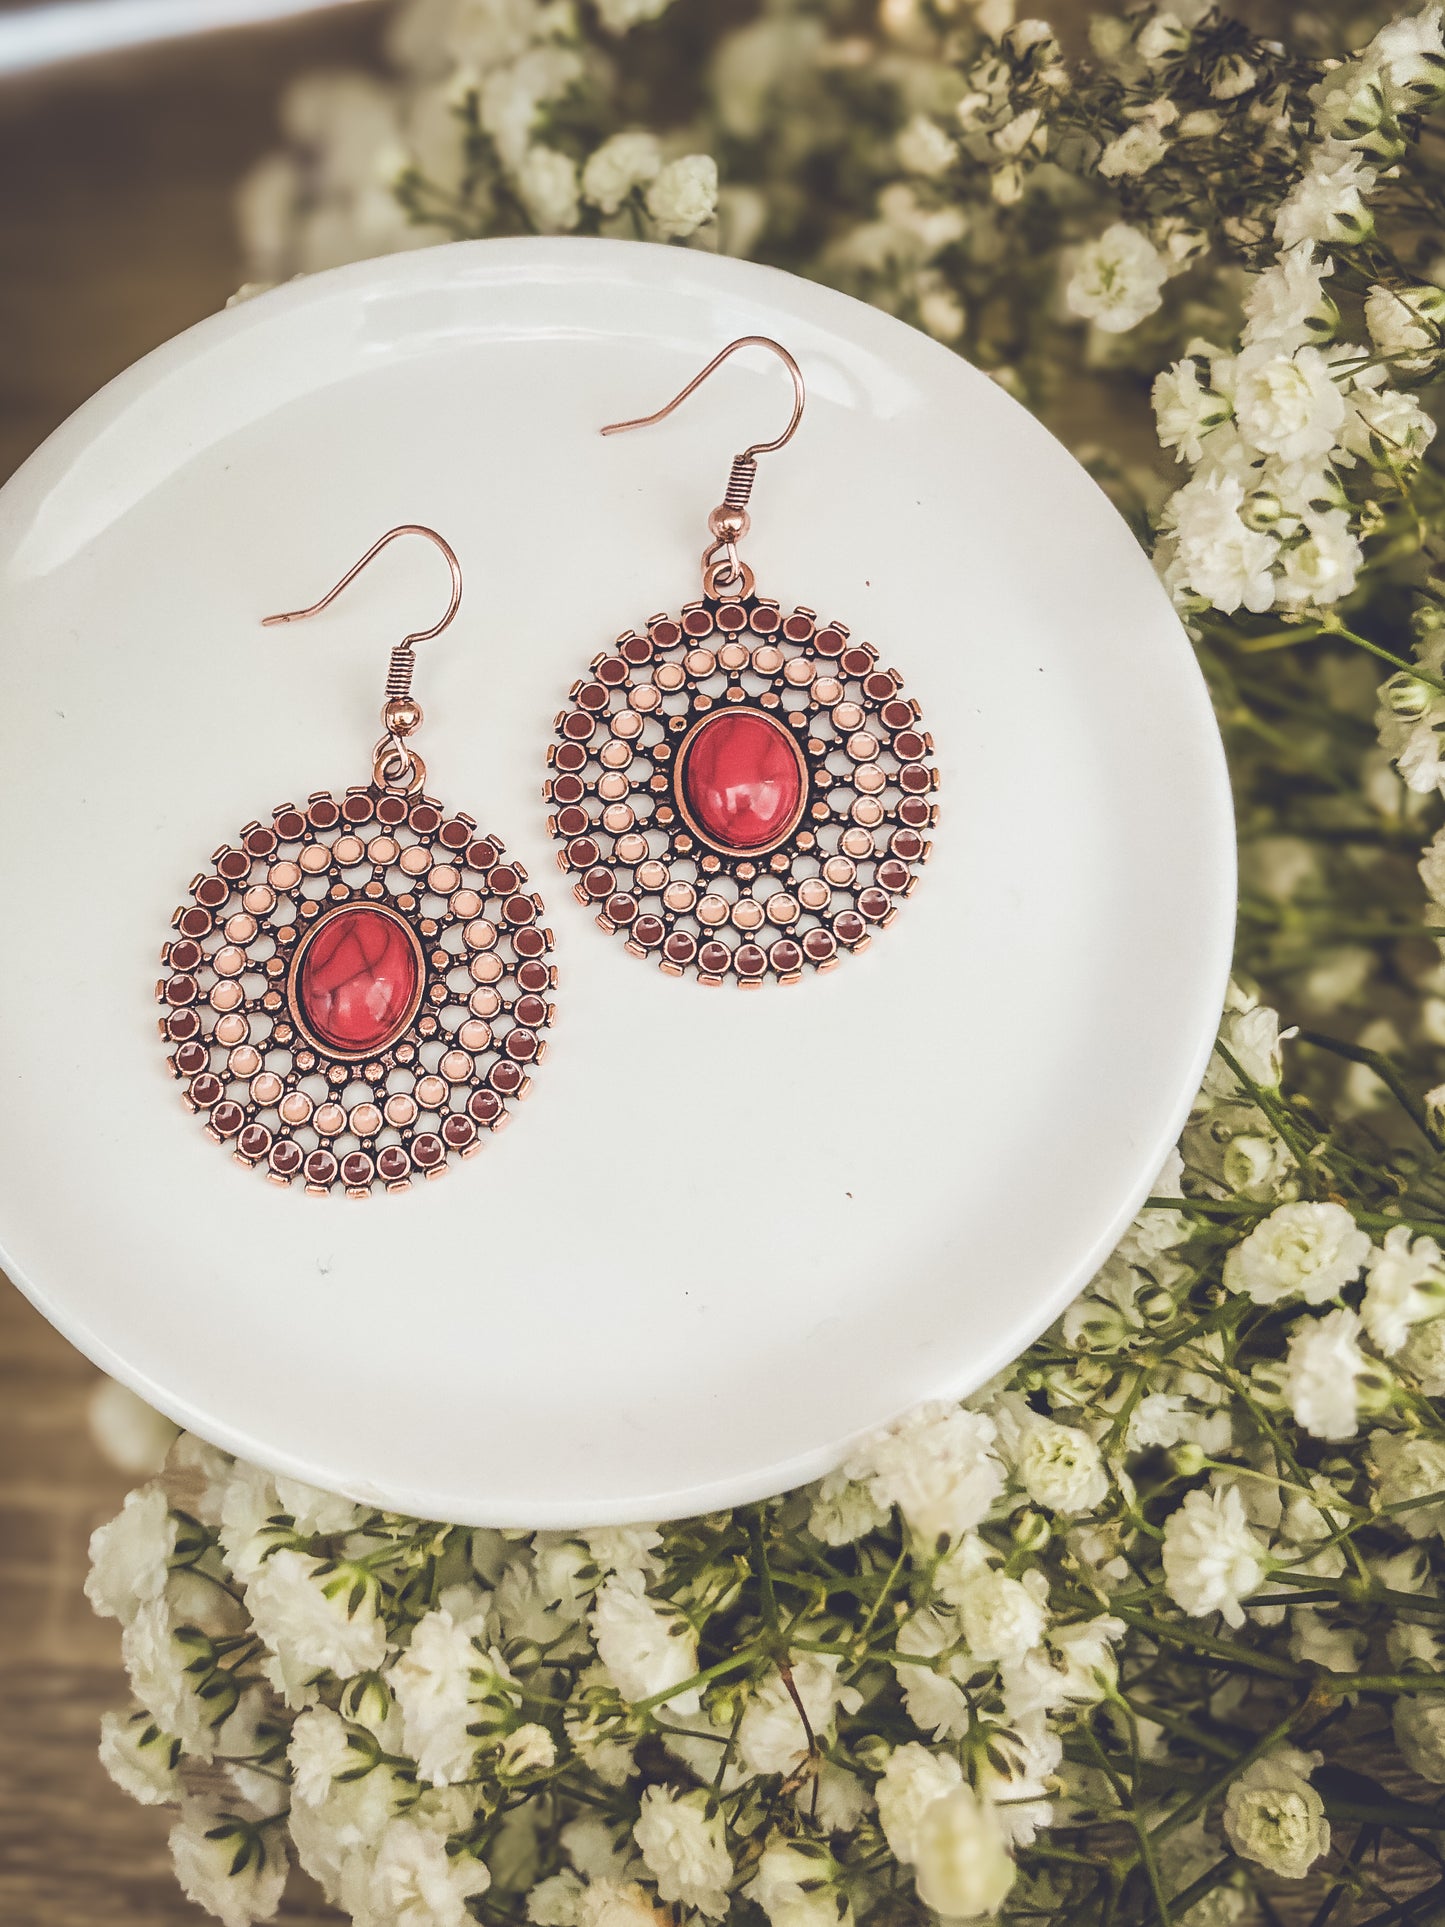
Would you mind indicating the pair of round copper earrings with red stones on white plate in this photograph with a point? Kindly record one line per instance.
(359, 988)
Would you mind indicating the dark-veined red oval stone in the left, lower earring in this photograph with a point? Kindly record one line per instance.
(357, 982)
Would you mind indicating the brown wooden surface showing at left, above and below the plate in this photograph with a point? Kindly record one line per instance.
(115, 234)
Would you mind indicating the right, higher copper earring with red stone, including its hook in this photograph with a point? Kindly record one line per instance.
(741, 793)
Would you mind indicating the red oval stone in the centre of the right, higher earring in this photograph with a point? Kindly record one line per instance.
(741, 781)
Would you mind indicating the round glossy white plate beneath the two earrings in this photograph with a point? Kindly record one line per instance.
(727, 1234)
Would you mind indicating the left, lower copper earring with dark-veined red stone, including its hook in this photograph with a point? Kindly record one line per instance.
(357, 990)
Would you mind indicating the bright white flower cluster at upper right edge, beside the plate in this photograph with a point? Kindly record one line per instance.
(1274, 427)
